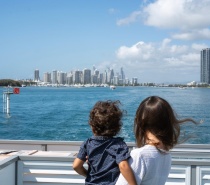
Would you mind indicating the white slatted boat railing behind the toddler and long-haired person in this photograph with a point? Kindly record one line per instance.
(44, 166)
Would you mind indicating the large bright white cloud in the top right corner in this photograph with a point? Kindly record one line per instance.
(189, 17)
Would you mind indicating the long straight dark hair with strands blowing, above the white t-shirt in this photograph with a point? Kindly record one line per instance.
(156, 115)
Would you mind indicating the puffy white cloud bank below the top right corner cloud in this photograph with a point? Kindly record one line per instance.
(142, 52)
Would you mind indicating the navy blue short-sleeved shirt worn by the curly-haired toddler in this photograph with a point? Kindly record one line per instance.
(104, 155)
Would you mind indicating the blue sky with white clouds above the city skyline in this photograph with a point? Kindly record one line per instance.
(156, 41)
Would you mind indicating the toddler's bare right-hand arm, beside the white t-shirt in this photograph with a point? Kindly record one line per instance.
(127, 172)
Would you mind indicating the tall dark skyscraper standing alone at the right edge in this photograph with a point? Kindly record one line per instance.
(205, 66)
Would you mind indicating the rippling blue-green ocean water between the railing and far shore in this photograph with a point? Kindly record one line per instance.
(61, 114)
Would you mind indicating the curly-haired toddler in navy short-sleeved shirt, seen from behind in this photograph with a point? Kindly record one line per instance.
(107, 155)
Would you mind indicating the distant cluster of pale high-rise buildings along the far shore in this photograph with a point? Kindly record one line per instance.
(85, 76)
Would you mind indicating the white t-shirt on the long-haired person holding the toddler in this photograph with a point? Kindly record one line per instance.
(150, 166)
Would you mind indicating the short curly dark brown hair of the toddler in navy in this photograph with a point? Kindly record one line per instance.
(105, 118)
